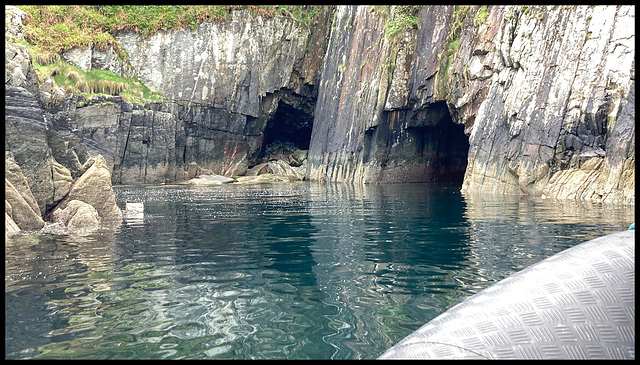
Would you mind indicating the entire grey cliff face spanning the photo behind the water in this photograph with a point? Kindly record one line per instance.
(502, 99)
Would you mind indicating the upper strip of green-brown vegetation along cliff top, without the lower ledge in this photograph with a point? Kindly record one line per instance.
(53, 29)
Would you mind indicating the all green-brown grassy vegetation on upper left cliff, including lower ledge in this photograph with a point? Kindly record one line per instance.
(53, 29)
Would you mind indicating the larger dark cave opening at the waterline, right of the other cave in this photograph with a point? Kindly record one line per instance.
(442, 142)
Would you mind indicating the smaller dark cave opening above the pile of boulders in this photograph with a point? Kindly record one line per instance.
(288, 127)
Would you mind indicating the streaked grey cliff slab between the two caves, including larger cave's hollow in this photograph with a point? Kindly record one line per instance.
(376, 117)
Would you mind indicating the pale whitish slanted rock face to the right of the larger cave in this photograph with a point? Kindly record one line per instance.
(552, 97)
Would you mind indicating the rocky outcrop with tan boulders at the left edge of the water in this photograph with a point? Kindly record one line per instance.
(38, 186)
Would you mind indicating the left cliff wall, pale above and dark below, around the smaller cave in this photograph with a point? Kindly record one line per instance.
(222, 83)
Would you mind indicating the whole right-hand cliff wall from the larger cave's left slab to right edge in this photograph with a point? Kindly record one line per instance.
(544, 94)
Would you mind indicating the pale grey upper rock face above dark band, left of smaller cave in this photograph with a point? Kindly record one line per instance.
(224, 68)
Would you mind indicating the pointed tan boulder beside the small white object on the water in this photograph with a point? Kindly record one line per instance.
(94, 188)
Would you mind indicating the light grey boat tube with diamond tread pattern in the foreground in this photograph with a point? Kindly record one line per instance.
(577, 304)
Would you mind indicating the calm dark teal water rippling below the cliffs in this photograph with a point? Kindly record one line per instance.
(277, 271)
